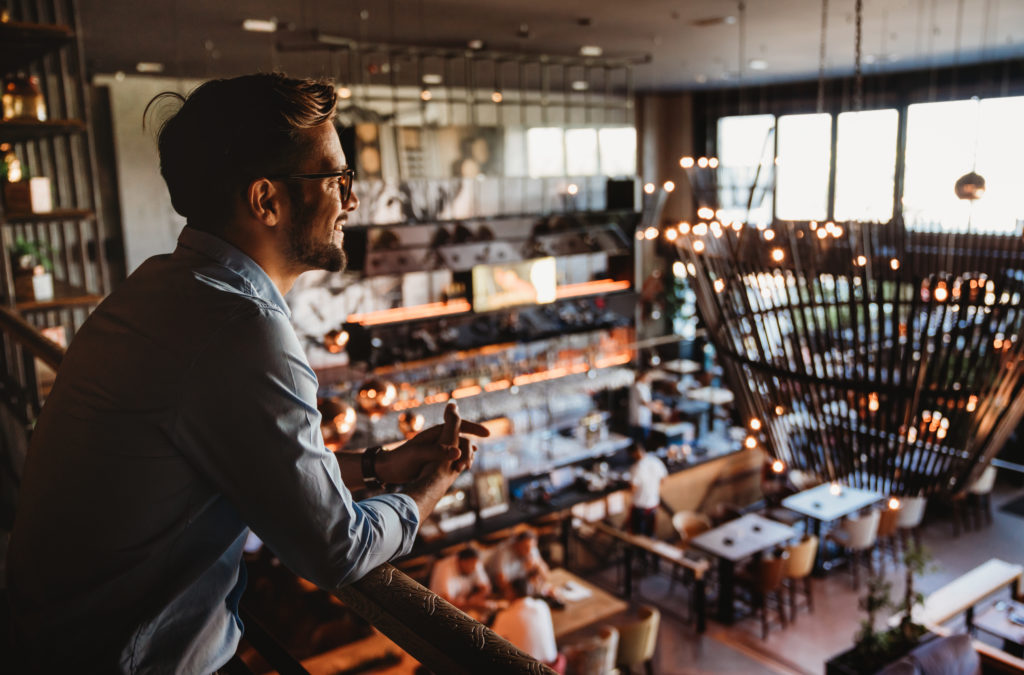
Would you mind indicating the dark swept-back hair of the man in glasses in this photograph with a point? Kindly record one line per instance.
(229, 133)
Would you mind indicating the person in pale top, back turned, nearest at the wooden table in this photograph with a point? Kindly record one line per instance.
(527, 624)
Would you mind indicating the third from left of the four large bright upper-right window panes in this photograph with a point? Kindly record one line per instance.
(866, 165)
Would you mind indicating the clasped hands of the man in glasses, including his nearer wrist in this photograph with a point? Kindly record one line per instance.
(446, 455)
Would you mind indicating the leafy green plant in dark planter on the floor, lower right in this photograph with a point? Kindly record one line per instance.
(874, 650)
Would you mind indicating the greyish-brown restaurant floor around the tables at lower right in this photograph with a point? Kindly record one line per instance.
(805, 645)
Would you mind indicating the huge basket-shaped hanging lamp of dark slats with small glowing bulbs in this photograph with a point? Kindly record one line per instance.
(875, 357)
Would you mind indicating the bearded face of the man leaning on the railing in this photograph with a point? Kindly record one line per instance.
(318, 216)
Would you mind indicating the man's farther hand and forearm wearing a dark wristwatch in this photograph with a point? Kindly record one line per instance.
(443, 443)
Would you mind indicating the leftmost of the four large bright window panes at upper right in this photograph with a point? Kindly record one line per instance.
(746, 149)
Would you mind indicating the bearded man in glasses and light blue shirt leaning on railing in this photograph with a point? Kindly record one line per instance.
(186, 412)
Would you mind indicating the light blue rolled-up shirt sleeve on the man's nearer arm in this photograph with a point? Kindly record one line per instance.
(248, 420)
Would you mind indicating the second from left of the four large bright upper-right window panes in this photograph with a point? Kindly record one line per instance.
(804, 155)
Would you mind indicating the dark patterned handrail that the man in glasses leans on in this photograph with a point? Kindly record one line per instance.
(435, 632)
